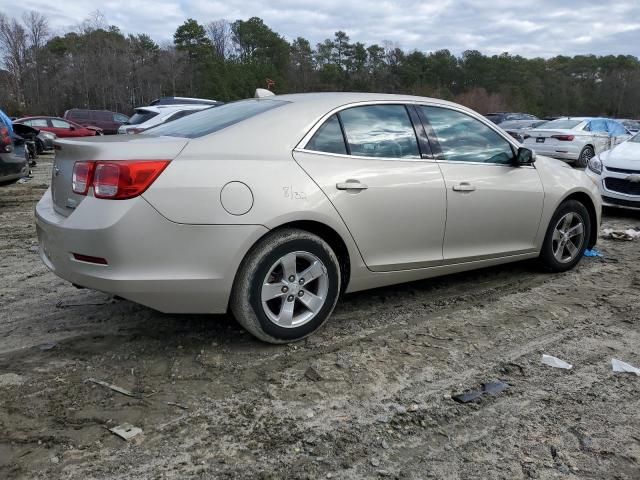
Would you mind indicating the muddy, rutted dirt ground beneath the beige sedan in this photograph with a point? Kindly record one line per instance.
(368, 397)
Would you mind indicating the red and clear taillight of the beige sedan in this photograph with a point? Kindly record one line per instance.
(116, 180)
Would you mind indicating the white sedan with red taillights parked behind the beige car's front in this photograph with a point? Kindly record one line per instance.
(576, 139)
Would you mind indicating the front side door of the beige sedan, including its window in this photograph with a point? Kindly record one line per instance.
(493, 207)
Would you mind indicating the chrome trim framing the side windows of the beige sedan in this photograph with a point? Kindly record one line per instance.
(300, 147)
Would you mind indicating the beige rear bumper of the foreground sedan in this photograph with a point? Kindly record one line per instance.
(171, 267)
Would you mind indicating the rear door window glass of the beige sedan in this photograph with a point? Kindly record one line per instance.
(380, 131)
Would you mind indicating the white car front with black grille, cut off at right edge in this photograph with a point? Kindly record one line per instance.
(616, 172)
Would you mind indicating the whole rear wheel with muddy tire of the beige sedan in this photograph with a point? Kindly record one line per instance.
(286, 287)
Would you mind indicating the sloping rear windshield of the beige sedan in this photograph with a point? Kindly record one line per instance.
(213, 119)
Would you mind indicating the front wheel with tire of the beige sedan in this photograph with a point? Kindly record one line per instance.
(567, 237)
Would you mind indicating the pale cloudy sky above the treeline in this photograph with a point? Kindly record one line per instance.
(526, 27)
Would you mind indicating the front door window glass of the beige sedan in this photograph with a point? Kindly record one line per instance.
(464, 139)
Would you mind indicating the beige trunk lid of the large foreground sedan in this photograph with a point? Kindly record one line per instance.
(130, 147)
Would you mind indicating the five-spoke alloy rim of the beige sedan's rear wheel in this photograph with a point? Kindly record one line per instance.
(295, 289)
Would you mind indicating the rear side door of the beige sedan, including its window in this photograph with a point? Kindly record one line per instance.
(368, 162)
